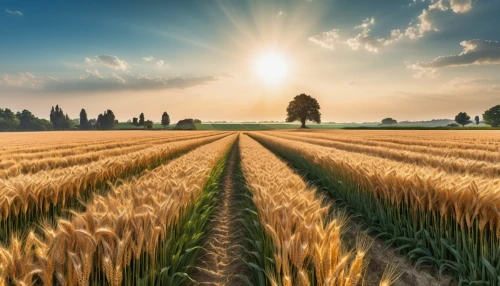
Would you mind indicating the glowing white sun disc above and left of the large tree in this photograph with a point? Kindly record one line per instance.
(271, 67)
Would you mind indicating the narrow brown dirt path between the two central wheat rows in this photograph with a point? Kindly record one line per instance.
(221, 258)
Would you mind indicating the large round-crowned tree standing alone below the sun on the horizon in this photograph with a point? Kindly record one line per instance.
(303, 107)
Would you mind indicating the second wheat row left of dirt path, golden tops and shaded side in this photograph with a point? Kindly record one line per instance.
(28, 198)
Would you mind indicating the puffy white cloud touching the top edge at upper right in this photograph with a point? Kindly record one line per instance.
(426, 20)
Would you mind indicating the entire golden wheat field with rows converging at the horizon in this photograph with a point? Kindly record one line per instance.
(253, 207)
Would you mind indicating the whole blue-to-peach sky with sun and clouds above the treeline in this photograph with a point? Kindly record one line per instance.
(244, 60)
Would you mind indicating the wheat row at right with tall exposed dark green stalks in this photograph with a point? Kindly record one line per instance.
(448, 221)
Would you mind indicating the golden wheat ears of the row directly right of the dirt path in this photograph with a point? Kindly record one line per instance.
(296, 219)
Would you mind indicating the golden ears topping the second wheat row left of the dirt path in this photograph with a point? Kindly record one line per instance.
(45, 189)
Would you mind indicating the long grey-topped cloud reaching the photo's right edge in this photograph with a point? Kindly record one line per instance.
(475, 52)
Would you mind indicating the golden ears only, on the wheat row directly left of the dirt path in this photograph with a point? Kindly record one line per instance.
(114, 230)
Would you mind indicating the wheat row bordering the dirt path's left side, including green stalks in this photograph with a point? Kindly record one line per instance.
(144, 232)
